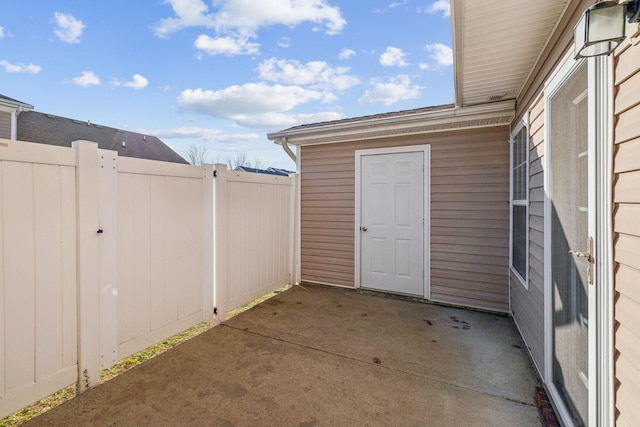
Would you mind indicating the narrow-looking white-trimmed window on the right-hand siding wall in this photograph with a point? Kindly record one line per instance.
(520, 201)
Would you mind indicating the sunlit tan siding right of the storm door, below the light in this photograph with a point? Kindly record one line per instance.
(626, 193)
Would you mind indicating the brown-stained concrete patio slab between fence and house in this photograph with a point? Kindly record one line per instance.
(318, 356)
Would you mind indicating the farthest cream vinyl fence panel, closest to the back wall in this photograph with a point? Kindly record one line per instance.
(255, 225)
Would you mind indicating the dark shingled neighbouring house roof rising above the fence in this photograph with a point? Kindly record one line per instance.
(53, 130)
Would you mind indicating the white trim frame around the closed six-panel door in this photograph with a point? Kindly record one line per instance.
(426, 152)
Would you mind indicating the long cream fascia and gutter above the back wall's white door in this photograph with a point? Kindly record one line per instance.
(481, 115)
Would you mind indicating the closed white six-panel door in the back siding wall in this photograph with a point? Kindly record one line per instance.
(392, 222)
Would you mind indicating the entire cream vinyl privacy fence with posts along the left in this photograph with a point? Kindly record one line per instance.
(102, 256)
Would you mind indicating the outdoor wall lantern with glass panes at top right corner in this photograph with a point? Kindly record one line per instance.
(602, 27)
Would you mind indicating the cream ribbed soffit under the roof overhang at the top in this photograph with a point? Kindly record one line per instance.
(497, 43)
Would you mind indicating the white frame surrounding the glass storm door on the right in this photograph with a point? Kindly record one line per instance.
(600, 134)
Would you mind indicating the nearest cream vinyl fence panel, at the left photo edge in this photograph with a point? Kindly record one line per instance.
(38, 337)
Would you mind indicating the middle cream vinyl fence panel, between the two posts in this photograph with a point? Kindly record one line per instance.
(159, 254)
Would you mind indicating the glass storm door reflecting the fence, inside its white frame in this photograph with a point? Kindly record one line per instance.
(571, 245)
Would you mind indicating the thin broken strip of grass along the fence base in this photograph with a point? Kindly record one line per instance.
(124, 365)
